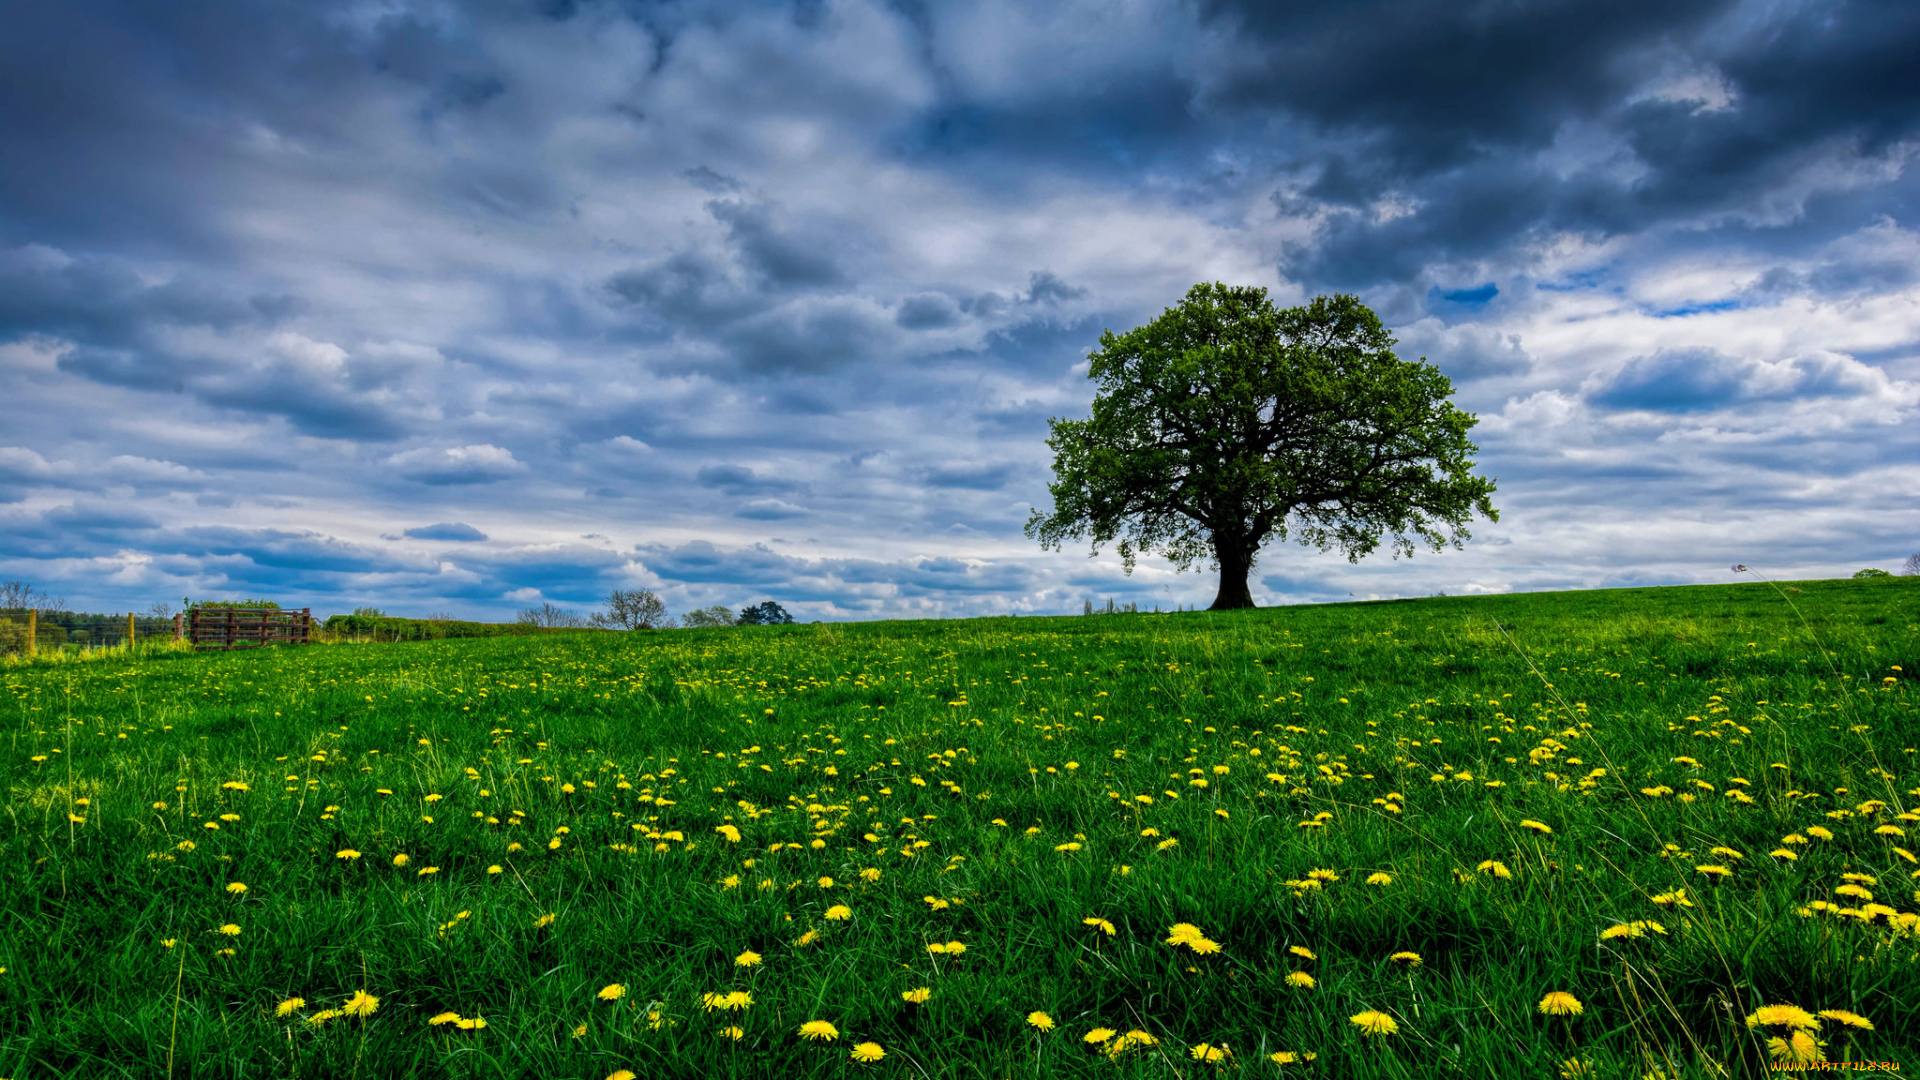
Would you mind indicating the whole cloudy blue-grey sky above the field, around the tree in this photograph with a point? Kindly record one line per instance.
(460, 308)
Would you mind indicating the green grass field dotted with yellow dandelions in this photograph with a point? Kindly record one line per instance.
(1353, 841)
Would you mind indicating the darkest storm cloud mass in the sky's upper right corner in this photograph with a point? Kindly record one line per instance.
(1527, 120)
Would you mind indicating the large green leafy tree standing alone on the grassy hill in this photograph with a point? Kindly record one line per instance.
(1230, 422)
